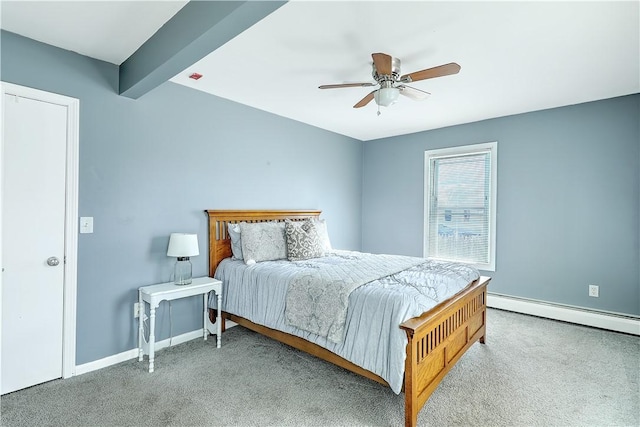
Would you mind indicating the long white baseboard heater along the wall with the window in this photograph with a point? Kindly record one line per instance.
(599, 319)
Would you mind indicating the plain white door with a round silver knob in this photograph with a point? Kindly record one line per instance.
(33, 241)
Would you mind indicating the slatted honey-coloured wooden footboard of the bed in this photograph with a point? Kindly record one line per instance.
(437, 340)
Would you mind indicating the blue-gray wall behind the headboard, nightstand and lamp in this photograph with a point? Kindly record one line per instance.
(149, 167)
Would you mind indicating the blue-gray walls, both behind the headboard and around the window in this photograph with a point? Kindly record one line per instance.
(568, 189)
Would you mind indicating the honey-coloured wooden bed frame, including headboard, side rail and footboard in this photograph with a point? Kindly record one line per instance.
(437, 338)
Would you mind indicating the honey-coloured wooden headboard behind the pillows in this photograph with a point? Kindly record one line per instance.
(219, 241)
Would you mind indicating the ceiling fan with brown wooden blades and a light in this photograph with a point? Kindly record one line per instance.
(386, 72)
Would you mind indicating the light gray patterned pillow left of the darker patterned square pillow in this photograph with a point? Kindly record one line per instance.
(263, 241)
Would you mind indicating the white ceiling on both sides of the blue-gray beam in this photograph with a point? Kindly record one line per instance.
(515, 56)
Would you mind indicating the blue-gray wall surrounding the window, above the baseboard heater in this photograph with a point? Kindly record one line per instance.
(568, 200)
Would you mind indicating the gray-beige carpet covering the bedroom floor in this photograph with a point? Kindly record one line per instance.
(531, 372)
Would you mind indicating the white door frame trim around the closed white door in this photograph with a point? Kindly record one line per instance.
(71, 215)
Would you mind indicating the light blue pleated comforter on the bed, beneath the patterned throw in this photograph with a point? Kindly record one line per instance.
(372, 337)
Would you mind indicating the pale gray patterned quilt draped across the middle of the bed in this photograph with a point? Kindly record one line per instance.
(318, 295)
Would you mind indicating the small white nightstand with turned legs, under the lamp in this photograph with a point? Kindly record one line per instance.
(154, 294)
